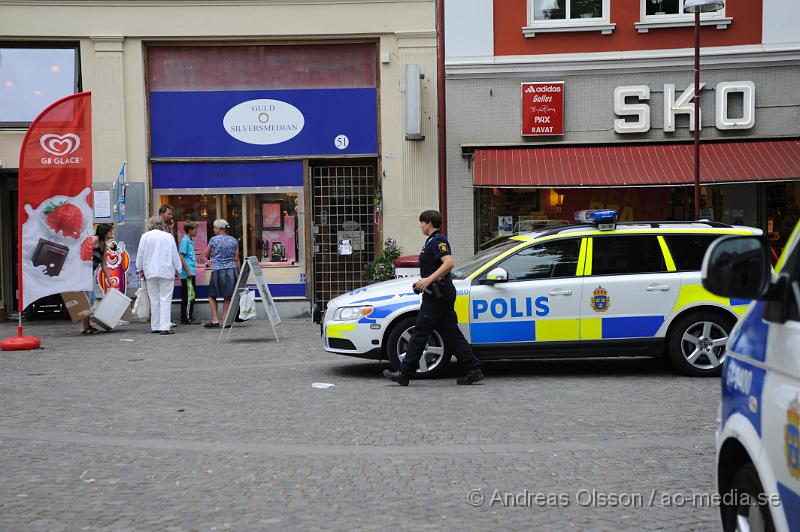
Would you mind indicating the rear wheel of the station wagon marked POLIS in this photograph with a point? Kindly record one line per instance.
(697, 343)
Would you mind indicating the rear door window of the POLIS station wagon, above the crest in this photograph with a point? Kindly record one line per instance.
(619, 255)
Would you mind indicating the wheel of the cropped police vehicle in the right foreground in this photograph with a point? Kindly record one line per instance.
(745, 514)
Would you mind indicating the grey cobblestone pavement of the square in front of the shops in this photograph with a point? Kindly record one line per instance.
(129, 430)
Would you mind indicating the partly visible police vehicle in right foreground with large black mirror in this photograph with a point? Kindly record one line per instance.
(758, 442)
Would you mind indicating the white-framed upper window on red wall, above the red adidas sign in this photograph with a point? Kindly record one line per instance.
(568, 15)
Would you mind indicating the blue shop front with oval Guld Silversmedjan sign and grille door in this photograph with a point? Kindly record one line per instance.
(281, 141)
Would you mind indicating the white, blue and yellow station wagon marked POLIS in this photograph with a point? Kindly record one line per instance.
(596, 288)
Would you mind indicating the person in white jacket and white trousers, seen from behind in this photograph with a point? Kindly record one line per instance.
(158, 263)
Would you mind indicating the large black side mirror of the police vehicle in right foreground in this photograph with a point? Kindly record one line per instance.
(738, 267)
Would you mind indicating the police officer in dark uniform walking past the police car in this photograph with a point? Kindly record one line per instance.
(436, 312)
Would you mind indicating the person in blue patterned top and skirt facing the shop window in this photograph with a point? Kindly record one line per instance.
(223, 250)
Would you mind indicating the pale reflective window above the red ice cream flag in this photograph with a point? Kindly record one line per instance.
(31, 78)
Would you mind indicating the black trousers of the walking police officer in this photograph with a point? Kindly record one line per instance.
(438, 313)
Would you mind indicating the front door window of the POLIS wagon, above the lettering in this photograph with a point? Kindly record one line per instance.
(543, 261)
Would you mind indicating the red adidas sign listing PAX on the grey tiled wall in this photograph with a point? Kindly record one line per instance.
(543, 108)
